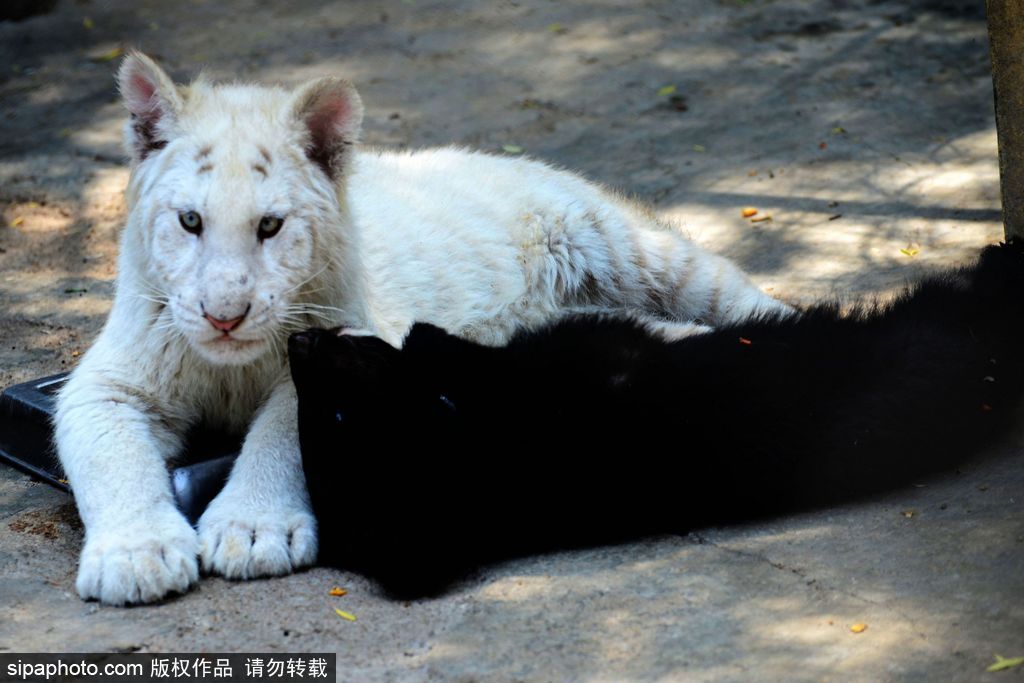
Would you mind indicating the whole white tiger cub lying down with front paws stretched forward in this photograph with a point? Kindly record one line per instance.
(252, 214)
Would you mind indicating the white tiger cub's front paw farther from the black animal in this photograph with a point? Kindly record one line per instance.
(140, 562)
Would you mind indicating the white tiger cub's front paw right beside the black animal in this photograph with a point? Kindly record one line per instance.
(239, 543)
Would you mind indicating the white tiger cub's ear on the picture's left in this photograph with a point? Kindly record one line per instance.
(154, 101)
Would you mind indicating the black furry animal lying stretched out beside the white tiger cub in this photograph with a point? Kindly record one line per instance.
(426, 462)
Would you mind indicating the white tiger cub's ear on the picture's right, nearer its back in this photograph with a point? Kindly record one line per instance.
(331, 112)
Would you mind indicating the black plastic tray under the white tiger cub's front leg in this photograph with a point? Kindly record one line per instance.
(27, 443)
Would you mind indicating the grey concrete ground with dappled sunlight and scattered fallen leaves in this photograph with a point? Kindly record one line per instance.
(864, 127)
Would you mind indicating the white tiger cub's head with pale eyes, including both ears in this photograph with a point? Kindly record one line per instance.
(232, 186)
